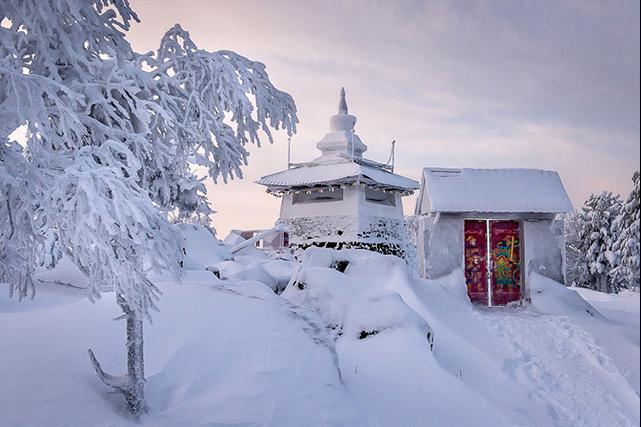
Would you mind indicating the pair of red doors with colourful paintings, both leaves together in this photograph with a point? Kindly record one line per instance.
(502, 249)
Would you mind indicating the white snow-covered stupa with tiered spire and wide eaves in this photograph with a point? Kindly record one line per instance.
(341, 199)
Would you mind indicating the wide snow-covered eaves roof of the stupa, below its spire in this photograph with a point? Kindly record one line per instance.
(343, 171)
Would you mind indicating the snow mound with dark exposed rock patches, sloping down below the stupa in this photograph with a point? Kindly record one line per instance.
(368, 301)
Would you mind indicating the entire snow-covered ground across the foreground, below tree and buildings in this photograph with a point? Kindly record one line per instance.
(233, 352)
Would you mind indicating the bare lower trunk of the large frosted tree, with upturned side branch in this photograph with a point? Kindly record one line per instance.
(132, 385)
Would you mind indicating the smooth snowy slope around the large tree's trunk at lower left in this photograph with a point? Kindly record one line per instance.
(215, 354)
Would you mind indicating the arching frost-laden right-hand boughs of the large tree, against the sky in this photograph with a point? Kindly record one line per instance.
(221, 100)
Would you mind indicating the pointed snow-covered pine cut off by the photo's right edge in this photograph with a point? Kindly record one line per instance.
(626, 245)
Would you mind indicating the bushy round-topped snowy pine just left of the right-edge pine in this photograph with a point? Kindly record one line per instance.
(596, 239)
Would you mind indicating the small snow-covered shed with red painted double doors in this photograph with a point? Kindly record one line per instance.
(498, 225)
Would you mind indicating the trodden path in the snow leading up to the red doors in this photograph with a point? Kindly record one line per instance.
(562, 367)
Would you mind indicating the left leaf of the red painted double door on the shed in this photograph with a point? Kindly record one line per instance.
(476, 261)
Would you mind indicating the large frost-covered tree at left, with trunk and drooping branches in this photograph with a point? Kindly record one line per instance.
(113, 139)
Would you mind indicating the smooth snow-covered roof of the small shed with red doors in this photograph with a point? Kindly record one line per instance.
(492, 190)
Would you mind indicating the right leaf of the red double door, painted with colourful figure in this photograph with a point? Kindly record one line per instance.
(505, 253)
